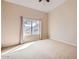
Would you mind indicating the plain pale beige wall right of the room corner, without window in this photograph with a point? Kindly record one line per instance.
(63, 23)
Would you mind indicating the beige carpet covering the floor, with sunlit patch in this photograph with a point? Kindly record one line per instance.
(43, 49)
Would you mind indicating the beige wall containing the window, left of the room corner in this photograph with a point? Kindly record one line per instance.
(11, 22)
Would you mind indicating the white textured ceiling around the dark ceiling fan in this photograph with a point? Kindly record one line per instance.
(35, 4)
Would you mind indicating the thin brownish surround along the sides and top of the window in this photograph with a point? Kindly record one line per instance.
(21, 28)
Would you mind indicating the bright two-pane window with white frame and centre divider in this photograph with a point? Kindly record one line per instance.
(31, 27)
